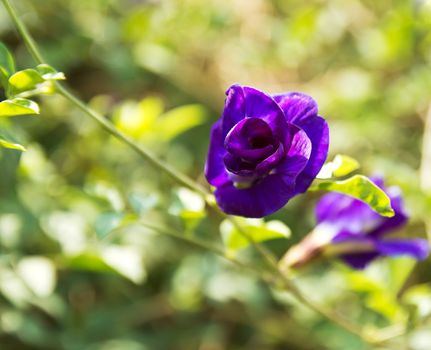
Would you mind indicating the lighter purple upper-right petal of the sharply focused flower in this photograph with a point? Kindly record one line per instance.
(297, 107)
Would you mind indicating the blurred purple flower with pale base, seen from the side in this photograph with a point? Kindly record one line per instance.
(349, 229)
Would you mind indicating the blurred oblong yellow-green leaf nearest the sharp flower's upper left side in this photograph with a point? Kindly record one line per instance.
(180, 119)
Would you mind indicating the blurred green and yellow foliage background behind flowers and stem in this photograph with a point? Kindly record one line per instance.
(76, 275)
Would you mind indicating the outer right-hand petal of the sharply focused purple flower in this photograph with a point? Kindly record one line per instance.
(317, 131)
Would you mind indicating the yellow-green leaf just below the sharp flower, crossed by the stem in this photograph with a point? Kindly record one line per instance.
(258, 230)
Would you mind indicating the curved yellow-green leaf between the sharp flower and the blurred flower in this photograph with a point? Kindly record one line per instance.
(362, 188)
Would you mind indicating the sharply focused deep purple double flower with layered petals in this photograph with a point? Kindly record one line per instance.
(264, 150)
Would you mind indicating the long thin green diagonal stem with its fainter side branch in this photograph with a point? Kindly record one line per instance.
(185, 181)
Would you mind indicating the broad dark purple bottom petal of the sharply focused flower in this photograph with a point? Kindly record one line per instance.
(261, 199)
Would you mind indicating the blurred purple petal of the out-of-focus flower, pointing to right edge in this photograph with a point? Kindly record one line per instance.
(415, 248)
